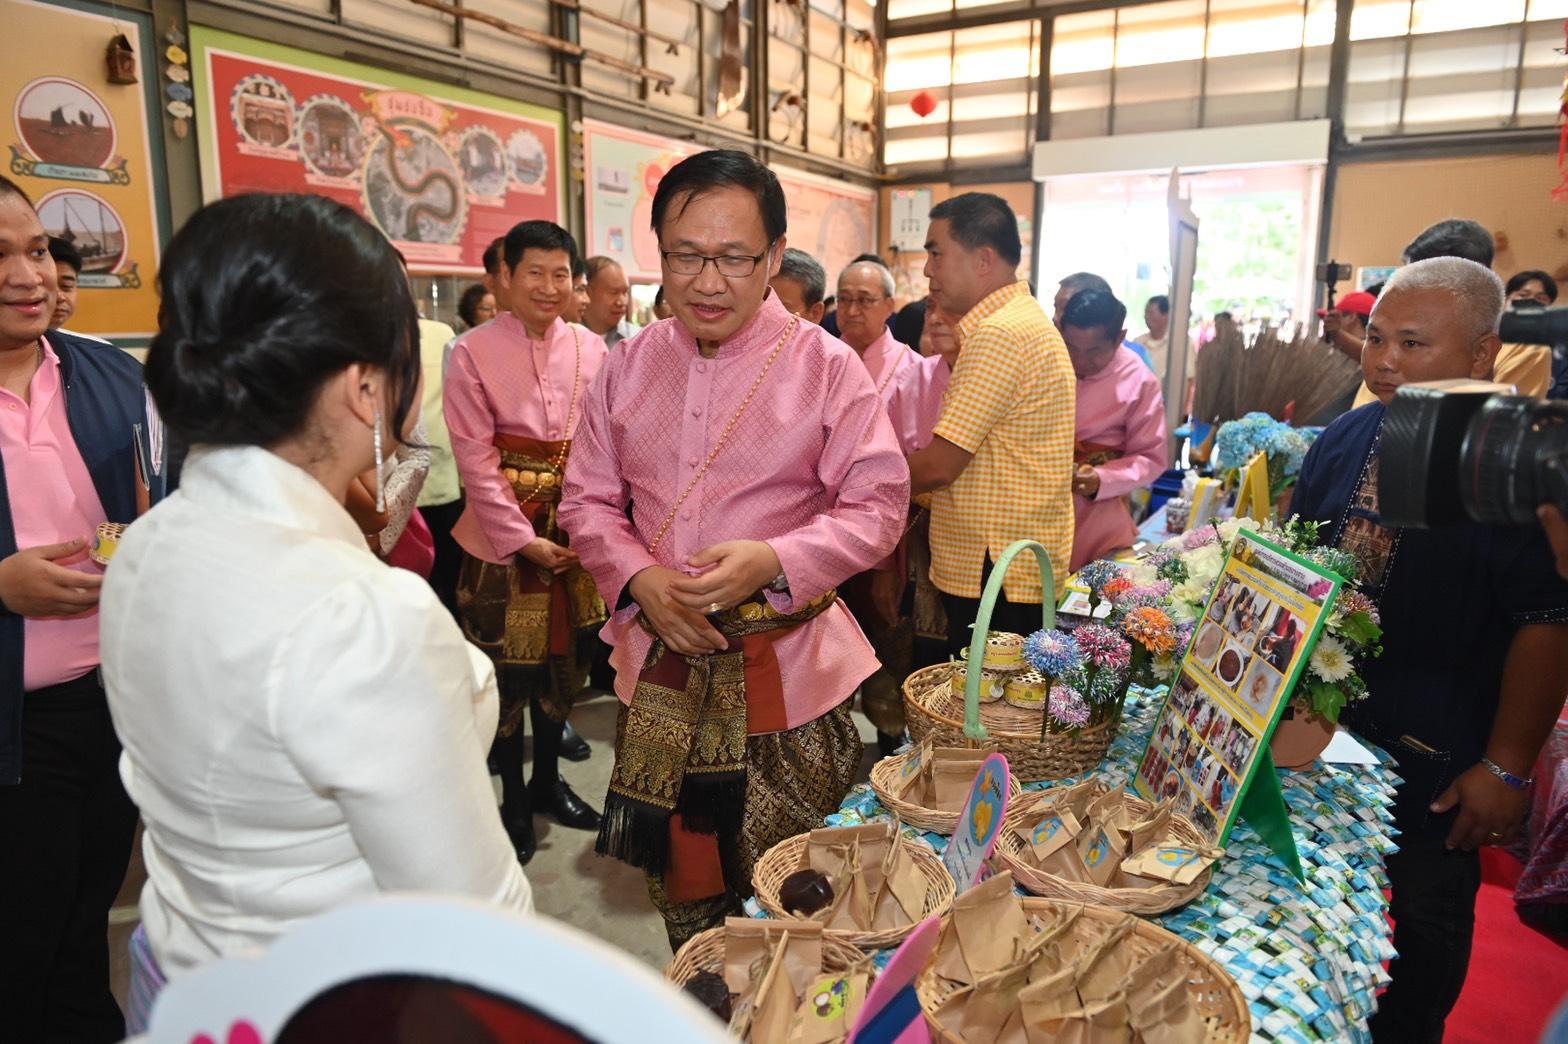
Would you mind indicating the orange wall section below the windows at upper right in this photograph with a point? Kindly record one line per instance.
(1379, 208)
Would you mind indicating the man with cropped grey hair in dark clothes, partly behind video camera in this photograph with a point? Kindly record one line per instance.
(1476, 642)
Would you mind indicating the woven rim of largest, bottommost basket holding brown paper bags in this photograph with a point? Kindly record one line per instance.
(1214, 993)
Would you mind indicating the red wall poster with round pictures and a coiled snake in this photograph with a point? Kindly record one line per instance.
(443, 172)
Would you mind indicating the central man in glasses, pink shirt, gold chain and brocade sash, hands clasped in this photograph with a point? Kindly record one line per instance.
(733, 468)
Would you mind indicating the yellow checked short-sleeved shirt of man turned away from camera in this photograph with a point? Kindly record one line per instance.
(1011, 404)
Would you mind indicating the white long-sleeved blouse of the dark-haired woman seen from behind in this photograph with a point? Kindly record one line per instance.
(303, 725)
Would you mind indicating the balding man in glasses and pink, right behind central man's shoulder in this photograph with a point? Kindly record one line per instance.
(912, 390)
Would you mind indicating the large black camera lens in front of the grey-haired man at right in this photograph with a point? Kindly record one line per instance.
(1512, 460)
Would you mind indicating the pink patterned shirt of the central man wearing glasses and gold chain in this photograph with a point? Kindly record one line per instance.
(813, 468)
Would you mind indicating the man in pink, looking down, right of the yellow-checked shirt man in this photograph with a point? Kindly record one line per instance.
(1120, 441)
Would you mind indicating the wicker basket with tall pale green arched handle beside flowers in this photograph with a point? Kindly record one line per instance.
(940, 717)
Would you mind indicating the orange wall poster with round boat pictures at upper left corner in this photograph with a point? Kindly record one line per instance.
(82, 148)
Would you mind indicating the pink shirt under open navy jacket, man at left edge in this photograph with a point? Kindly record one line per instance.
(53, 501)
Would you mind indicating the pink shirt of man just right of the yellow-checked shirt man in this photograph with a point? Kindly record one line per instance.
(1120, 407)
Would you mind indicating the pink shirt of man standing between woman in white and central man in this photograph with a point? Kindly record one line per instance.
(501, 382)
